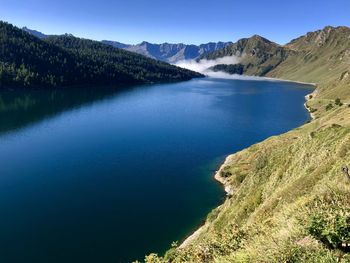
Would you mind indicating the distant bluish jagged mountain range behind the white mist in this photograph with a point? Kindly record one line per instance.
(170, 53)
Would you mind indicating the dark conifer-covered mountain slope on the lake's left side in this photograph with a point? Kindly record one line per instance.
(26, 60)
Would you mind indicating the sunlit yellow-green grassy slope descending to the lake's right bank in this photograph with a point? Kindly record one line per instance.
(291, 202)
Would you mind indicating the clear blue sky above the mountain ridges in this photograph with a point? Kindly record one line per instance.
(188, 21)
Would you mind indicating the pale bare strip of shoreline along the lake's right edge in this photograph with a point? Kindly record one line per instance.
(227, 187)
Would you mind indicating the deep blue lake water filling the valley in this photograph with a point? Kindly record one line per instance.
(100, 175)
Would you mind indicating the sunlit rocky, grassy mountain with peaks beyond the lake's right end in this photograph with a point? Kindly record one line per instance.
(327, 50)
